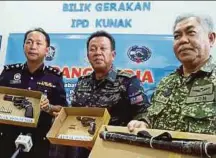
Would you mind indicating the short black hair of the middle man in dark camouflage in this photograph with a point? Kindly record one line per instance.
(102, 34)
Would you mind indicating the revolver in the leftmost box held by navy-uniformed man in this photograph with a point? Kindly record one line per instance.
(21, 102)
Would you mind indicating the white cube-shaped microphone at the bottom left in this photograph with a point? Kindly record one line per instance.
(23, 144)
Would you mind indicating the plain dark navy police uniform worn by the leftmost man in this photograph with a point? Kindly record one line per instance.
(45, 79)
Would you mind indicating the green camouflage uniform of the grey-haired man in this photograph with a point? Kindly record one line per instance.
(186, 104)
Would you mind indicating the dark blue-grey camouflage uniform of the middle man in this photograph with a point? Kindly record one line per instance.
(120, 92)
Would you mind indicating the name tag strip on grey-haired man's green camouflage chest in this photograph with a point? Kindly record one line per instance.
(202, 98)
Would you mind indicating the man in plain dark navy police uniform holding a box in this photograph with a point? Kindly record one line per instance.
(33, 75)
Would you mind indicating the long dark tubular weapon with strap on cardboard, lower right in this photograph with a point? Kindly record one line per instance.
(164, 141)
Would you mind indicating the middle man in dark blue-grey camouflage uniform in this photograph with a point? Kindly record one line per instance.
(120, 92)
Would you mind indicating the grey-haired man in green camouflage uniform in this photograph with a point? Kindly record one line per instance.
(186, 99)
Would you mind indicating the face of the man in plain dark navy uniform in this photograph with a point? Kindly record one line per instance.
(35, 46)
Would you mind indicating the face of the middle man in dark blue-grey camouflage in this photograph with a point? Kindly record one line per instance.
(100, 54)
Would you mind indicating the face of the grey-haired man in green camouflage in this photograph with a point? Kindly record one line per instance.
(191, 42)
